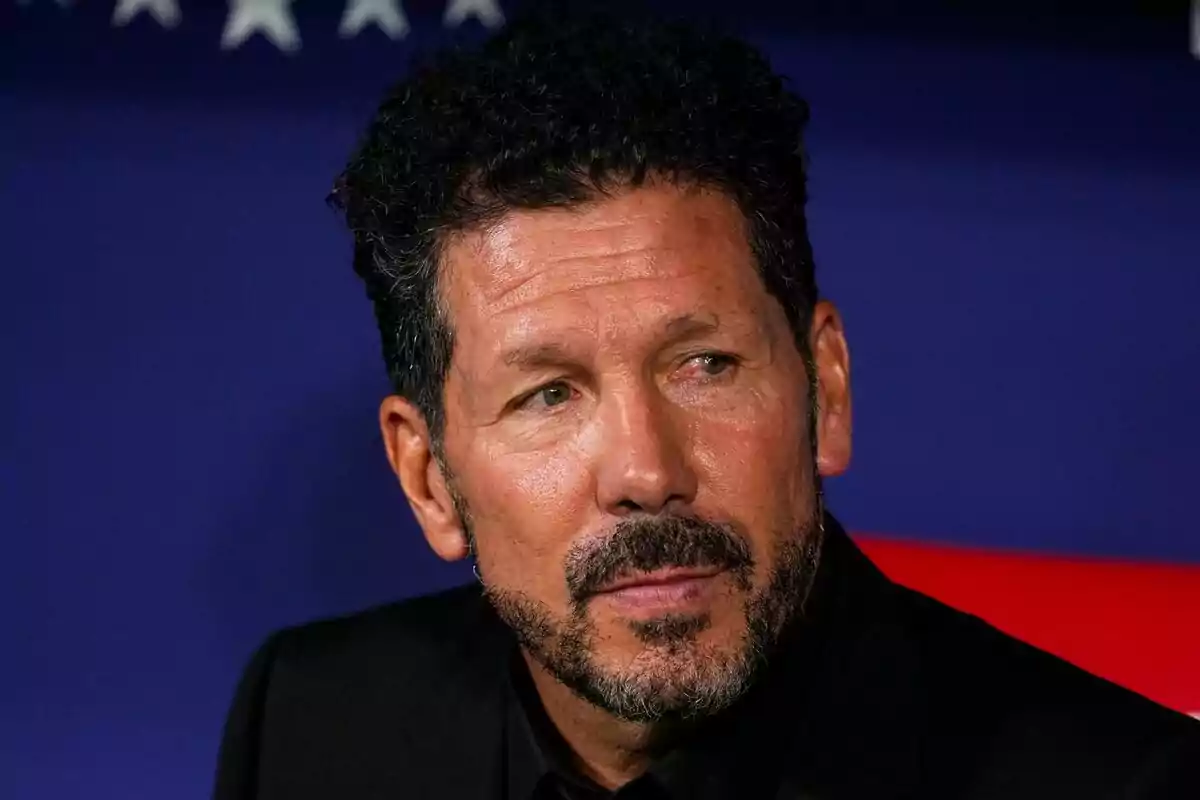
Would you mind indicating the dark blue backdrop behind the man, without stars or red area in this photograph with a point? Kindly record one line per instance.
(1007, 210)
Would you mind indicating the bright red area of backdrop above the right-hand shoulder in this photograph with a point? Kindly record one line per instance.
(1136, 624)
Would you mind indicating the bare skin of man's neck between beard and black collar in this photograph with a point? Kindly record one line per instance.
(610, 751)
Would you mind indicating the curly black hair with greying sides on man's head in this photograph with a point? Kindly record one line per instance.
(555, 111)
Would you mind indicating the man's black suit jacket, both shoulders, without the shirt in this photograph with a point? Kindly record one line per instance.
(902, 697)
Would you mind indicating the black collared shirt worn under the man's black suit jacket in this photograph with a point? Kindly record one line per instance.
(737, 755)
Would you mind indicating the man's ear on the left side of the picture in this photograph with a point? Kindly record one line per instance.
(411, 455)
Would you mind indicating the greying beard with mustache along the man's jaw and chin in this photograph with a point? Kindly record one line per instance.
(676, 677)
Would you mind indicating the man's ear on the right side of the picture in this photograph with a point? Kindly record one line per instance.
(831, 357)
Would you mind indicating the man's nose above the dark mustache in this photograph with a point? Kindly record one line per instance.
(644, 466)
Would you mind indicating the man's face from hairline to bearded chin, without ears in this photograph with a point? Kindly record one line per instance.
(628, 431)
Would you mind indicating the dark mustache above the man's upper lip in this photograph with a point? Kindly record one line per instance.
(649, 544)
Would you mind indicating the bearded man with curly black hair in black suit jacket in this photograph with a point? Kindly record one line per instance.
(619, 393)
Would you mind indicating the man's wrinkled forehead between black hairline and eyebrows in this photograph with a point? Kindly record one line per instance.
(659, 251)
